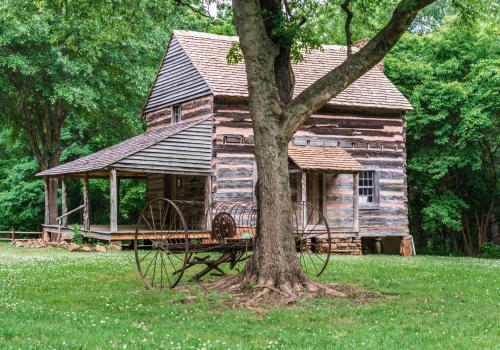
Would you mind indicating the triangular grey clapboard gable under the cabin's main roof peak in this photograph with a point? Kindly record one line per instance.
(177, 80)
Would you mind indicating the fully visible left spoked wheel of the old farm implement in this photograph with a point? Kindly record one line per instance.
(161, 244)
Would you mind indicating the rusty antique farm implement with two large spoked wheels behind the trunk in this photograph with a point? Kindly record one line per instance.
(173, 236)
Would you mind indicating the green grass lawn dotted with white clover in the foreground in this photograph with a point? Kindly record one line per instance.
(53, 299)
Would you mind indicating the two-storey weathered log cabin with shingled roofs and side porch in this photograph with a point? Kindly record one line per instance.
(348, 159)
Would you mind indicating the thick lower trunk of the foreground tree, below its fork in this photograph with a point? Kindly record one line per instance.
(274, 262)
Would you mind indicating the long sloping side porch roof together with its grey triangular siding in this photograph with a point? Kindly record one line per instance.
(183, 148)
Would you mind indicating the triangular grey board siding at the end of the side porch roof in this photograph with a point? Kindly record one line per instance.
(187, 152)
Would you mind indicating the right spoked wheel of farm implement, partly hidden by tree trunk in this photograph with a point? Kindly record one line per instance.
(312, 238)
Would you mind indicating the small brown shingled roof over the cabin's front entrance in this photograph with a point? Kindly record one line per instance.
(323, 158)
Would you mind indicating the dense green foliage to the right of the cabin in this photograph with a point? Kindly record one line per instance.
(452, 78)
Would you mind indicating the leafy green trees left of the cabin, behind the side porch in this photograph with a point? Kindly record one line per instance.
(74, 76)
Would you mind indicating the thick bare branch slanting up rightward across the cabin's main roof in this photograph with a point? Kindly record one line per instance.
(334, 82)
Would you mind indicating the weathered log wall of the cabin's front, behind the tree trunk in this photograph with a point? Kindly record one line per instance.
(375, 139)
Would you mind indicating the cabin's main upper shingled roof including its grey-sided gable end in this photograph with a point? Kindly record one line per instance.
(195, 64)
